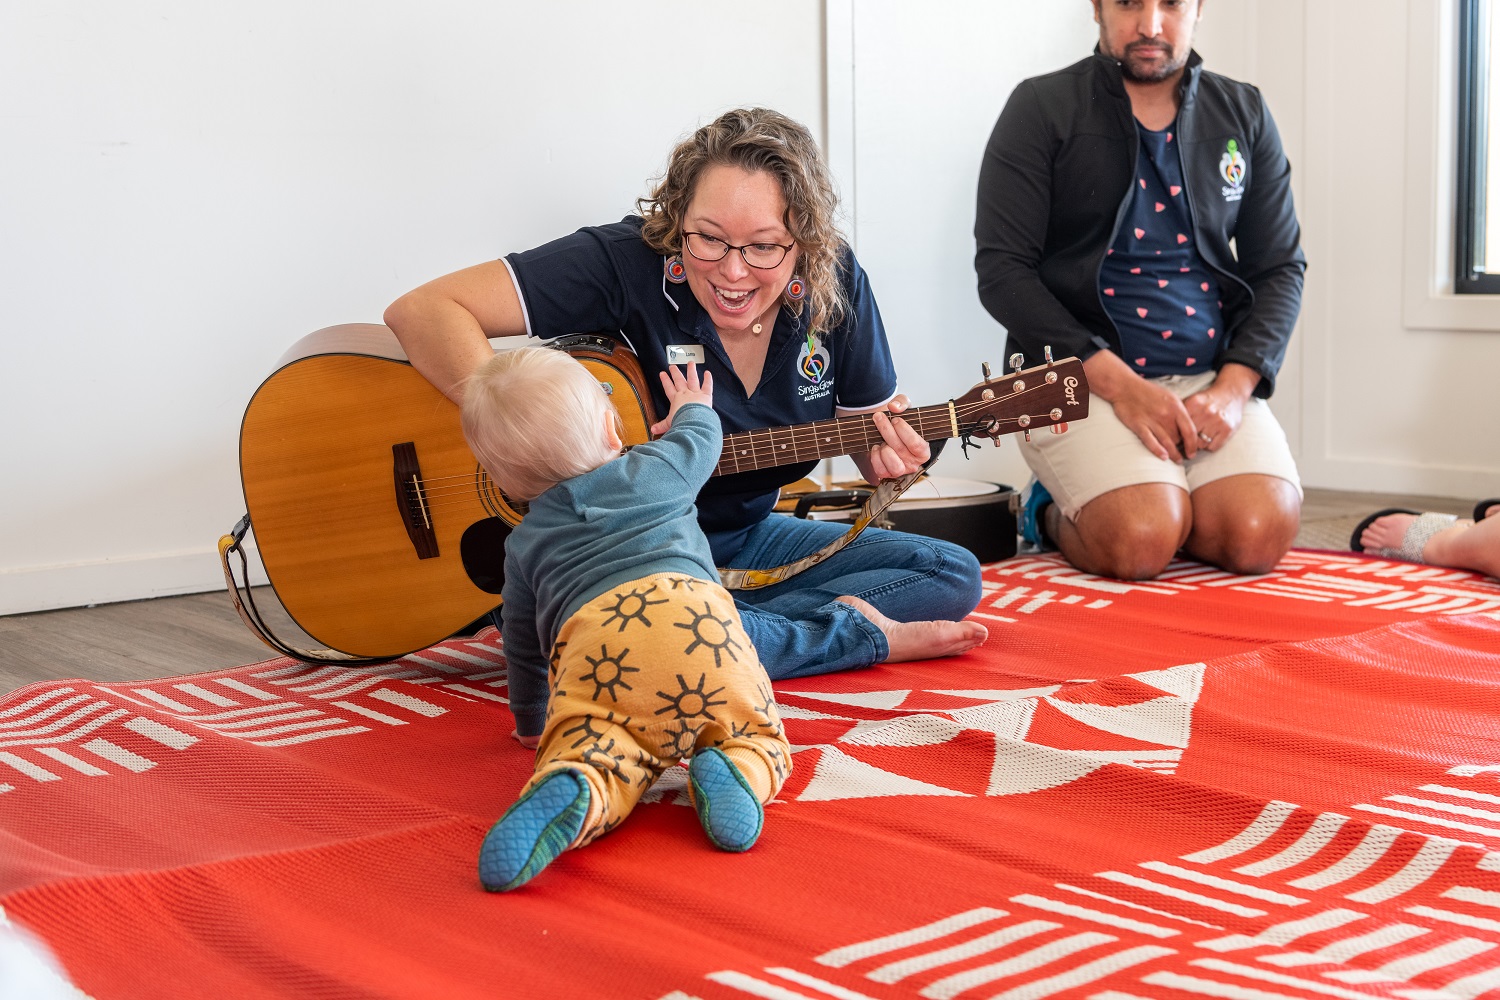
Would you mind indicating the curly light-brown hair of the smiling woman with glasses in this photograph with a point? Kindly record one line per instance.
(761, 140)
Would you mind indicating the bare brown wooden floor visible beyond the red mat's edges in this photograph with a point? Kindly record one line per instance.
(200, 632)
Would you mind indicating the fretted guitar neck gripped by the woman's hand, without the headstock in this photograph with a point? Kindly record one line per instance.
(749, 451)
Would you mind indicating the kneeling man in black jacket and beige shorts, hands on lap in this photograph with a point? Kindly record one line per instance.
(1136, 212)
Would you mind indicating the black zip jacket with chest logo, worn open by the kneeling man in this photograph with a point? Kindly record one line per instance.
(1057, 181)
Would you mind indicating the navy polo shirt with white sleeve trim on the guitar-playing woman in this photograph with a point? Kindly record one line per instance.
(605, 280)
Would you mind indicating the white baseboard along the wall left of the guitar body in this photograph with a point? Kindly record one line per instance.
(112, 581)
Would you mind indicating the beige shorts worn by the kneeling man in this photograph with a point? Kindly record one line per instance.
(1099, 455)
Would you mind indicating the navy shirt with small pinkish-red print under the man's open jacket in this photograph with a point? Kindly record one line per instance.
(1156, 287)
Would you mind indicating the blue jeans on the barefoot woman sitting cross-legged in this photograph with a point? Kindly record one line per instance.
(799, 629)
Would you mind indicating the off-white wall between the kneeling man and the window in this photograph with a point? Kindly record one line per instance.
(1394, 377)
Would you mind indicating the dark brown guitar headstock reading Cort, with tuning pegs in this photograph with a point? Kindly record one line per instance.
(1045, 397)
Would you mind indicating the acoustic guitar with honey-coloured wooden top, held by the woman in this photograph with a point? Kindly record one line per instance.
(380, 531)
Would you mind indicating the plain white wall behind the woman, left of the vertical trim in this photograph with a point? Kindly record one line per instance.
(188, 188)
